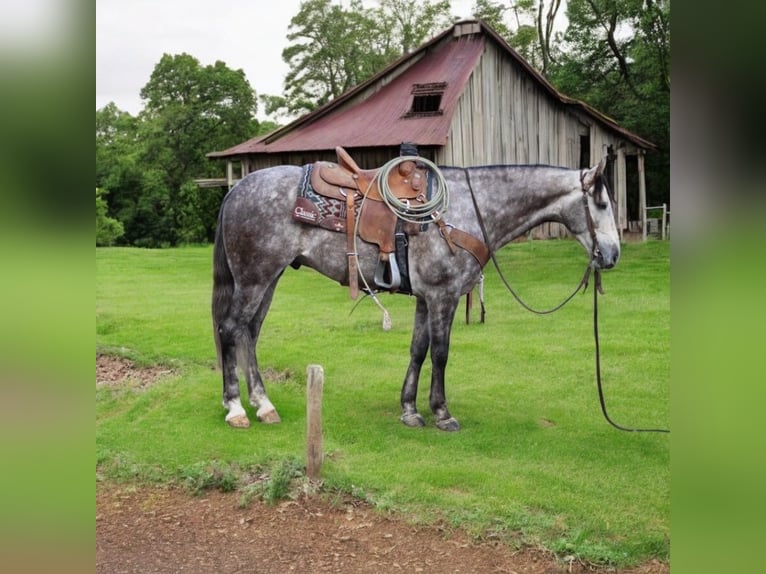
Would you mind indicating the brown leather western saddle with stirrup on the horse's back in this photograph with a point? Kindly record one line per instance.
(377, 224)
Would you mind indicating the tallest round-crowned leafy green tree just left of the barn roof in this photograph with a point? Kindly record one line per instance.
(189, 110)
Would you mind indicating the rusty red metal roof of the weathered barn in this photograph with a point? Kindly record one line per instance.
(382, 119)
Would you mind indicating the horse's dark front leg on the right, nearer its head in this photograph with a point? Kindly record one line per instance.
(441, 312)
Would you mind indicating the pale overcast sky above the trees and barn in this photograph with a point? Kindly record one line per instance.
(132, 36)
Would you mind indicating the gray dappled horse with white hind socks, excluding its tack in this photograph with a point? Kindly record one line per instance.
(257, 239)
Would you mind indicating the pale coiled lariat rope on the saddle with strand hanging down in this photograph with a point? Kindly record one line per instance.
(431, 210)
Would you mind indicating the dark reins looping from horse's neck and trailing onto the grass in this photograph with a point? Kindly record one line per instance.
(582, 285)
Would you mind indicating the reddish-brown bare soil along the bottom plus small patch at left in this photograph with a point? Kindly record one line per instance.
(154, 529)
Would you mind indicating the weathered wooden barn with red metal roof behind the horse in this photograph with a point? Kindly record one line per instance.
(466, 98)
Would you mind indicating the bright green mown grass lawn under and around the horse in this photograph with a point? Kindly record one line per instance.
(534, 463)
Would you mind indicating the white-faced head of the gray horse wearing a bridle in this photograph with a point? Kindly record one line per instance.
(599, 235)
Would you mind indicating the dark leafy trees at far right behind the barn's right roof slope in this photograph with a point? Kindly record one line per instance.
(617, 58)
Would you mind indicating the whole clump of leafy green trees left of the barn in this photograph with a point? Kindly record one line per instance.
(148, 163)
